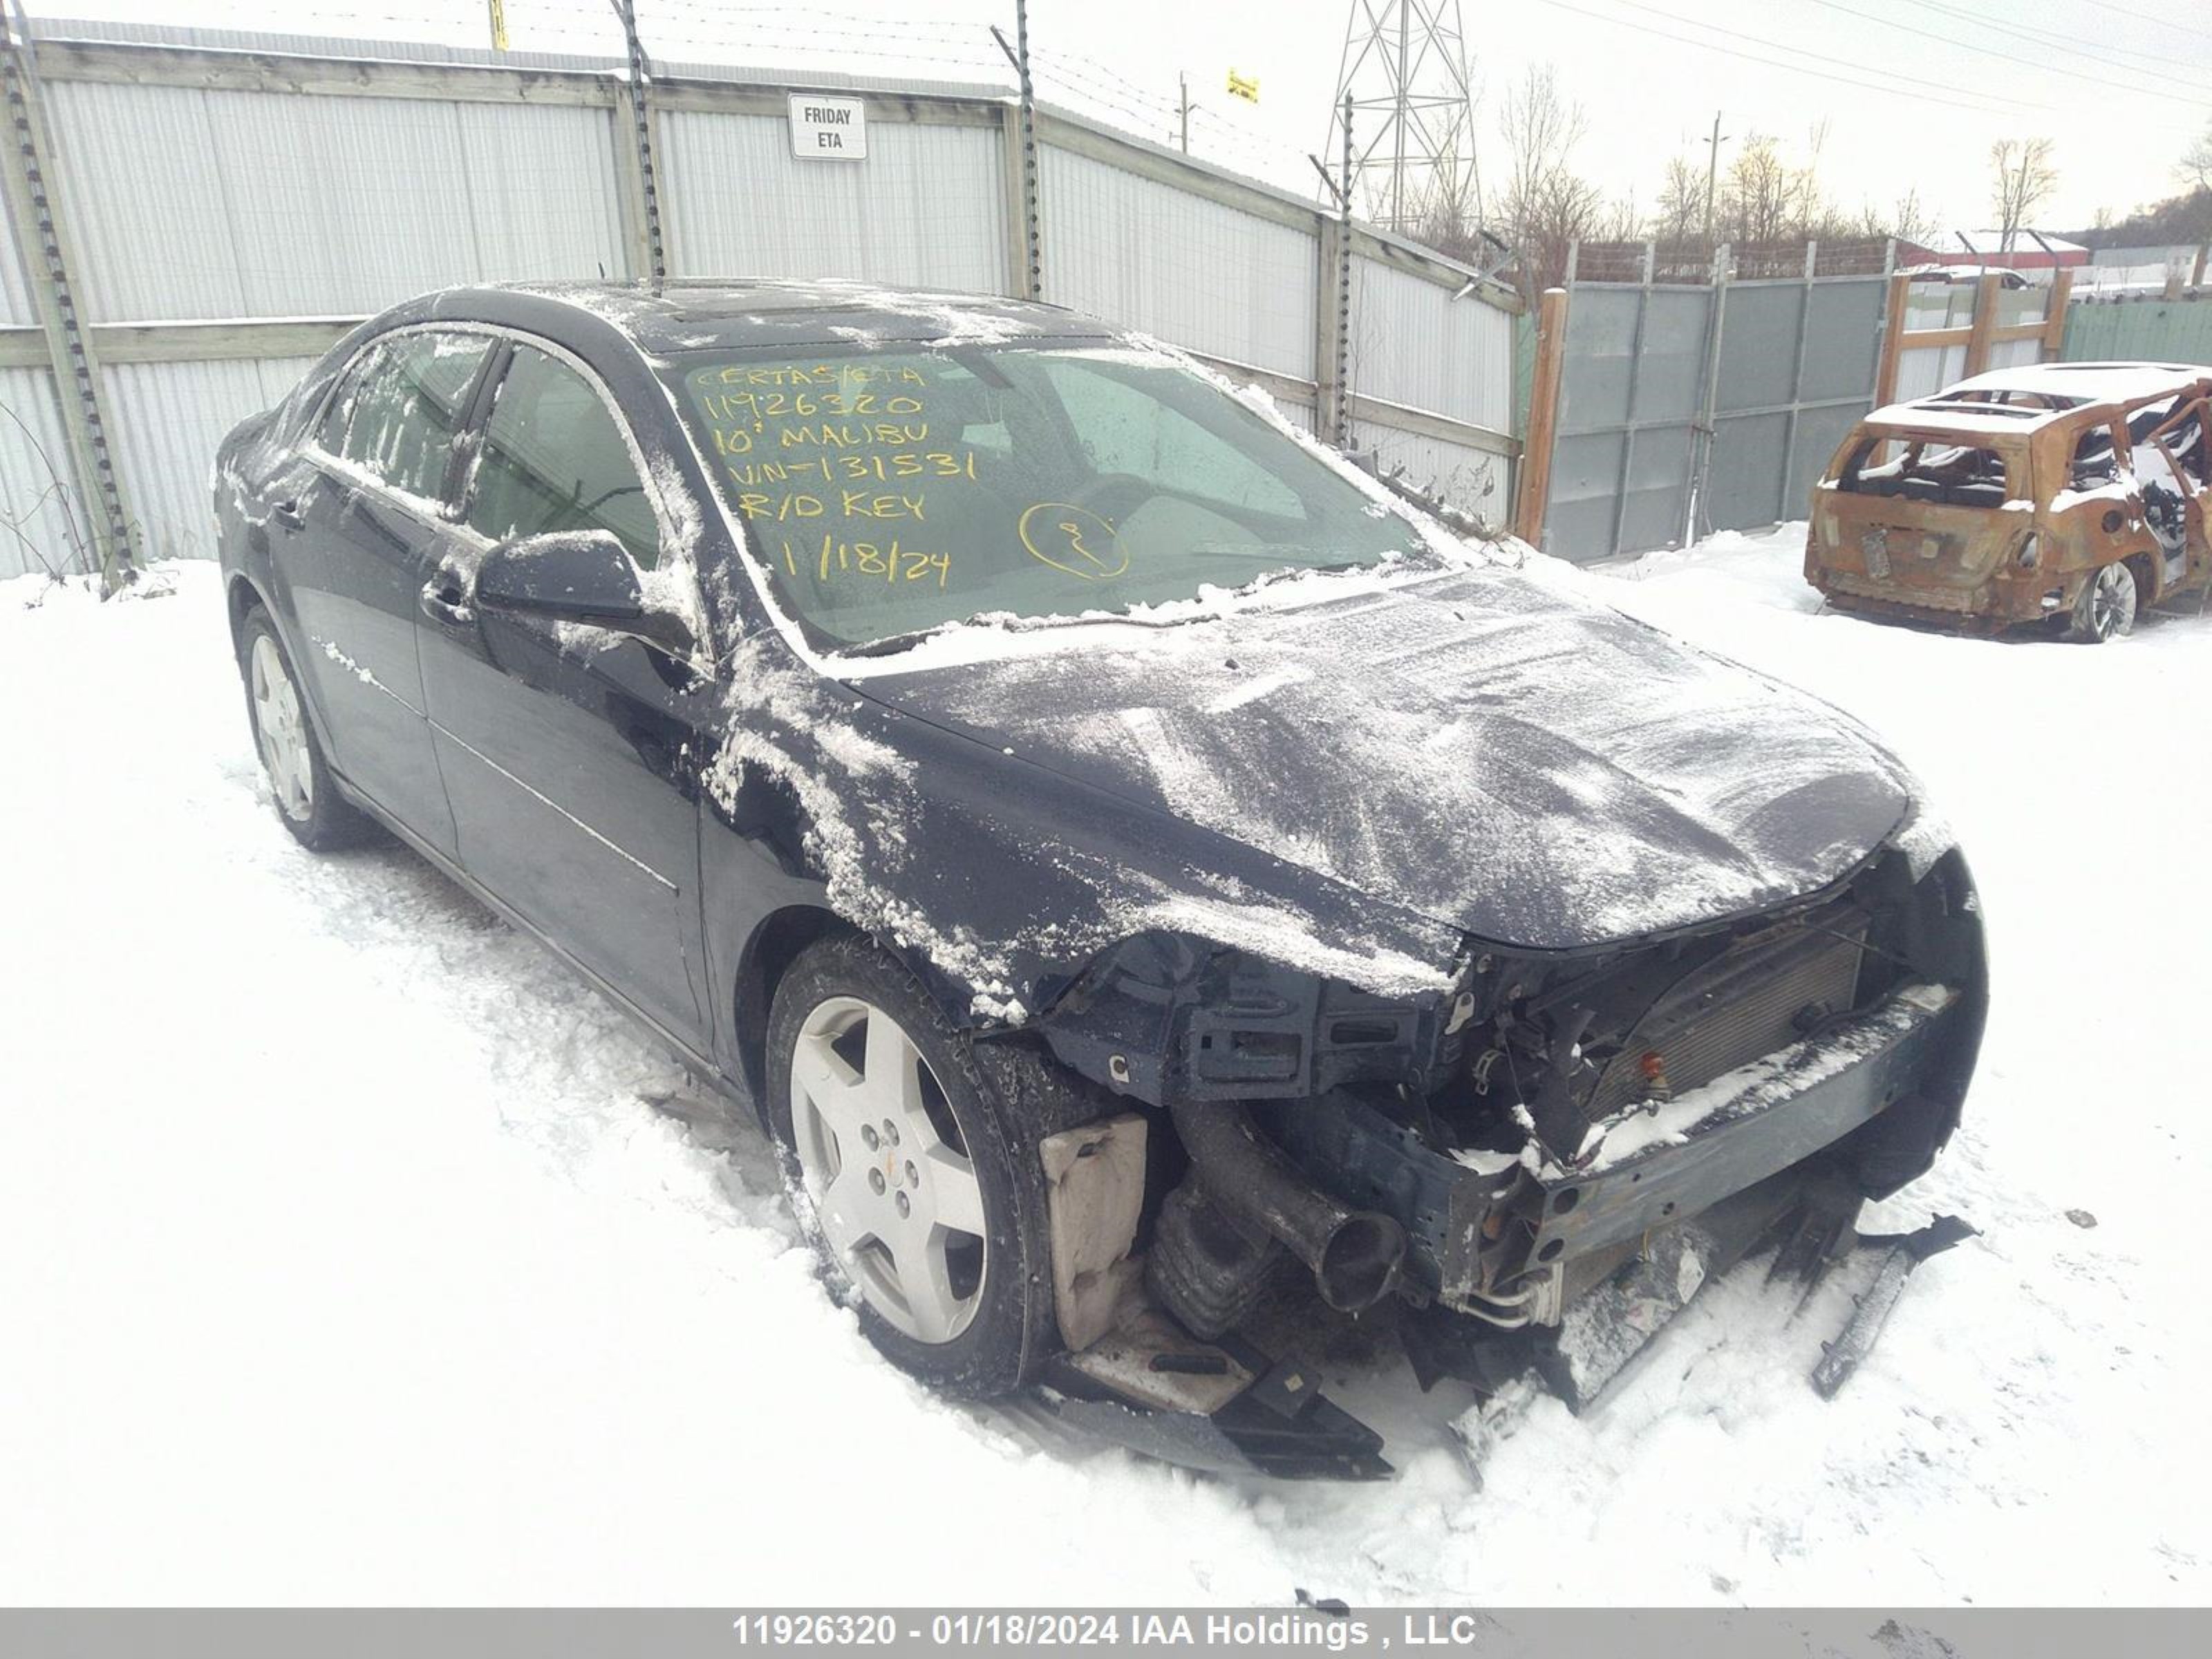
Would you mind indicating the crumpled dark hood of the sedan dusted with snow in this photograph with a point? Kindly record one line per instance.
(1472, 747)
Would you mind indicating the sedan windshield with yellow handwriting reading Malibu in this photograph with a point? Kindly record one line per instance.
(890, 494)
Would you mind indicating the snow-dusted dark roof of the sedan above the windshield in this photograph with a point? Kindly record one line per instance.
(722, 315)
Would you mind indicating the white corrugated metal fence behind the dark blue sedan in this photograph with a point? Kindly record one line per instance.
(233, 202)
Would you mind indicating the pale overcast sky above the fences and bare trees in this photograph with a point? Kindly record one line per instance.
(1910, 92)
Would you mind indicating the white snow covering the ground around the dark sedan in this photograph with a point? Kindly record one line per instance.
(348, 1262)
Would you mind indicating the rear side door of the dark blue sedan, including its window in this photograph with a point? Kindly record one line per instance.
(362, 532)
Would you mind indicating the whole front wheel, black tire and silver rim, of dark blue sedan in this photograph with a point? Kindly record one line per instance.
(904, 1173)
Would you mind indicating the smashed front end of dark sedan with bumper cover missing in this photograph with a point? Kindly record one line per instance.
(1519, 1178)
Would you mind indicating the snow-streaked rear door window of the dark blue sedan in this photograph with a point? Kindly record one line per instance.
(401, 413)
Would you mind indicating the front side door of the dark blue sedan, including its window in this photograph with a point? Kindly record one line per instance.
(570, 753)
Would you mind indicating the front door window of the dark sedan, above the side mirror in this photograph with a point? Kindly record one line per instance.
(556, 461)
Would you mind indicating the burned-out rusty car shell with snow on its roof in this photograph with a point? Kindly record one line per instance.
(2074, 441)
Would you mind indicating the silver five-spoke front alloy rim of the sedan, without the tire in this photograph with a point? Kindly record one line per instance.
(886, 1169)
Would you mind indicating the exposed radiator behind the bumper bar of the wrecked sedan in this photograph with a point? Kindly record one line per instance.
(1735, 1010)
